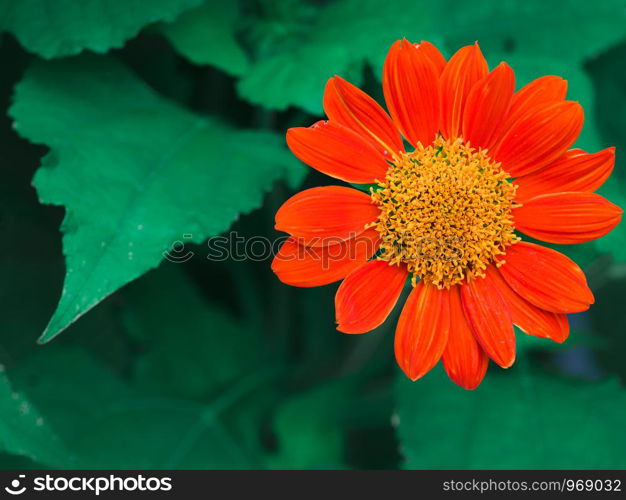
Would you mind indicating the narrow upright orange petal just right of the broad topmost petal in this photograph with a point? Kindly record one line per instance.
(464, 69)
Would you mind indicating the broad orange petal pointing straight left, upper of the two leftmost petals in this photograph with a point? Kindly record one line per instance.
(325, 215)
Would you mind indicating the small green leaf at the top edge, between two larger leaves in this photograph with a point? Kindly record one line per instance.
(207, 36)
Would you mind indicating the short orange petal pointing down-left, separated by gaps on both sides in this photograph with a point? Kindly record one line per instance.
(367, 295)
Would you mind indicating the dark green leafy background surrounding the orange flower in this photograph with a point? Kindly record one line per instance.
(129, 125)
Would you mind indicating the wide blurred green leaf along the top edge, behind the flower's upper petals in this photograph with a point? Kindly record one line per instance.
(298, 49)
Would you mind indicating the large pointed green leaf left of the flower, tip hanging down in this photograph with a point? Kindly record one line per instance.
(135, 173)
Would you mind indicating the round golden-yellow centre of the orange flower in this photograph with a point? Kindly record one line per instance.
(445, 211)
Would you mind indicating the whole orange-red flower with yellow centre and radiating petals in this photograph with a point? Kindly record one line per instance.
(486, 163)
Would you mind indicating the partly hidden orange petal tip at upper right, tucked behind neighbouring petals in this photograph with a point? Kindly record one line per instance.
(542, 91)
